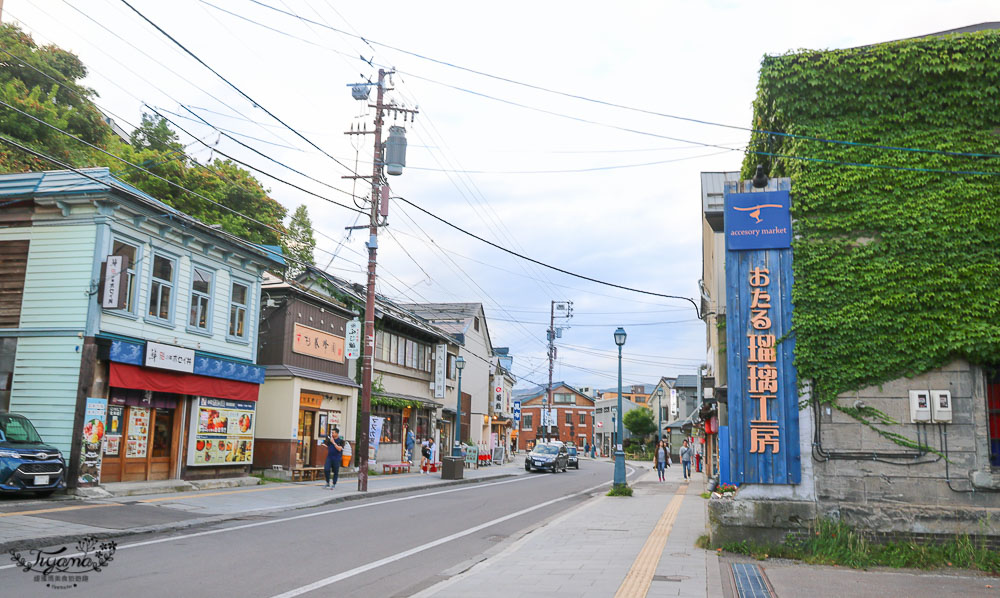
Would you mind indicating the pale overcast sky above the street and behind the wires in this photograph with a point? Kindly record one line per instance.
(532, 177)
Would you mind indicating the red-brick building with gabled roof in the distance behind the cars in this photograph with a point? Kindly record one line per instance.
(571, 410)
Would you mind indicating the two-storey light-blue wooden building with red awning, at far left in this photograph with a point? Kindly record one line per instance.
(128, 320)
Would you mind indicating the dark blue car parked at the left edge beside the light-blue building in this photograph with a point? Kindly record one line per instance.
(26, 463)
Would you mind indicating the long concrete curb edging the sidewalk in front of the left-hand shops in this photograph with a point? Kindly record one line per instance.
(43, 541)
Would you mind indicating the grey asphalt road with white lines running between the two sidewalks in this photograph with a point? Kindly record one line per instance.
(390, 546)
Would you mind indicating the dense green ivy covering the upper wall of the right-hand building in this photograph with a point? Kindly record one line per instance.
(897, 257)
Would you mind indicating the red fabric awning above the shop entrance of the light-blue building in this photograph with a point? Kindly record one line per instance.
(133, 376)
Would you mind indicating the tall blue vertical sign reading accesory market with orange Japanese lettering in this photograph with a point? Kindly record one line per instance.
(763, 392)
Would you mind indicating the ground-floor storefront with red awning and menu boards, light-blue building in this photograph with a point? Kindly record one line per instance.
(166, 424)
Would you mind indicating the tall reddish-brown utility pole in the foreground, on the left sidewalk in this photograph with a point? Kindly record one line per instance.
(367, 362)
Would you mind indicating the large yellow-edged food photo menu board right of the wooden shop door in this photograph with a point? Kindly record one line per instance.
(222, 432)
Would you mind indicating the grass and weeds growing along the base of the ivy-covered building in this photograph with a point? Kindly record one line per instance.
(836, 543)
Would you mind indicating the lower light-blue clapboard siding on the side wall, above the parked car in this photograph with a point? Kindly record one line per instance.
(46, 373)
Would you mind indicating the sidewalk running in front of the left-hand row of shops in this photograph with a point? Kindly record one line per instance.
(32, 524)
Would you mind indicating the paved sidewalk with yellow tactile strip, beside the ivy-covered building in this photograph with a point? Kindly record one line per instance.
(609, 546)
